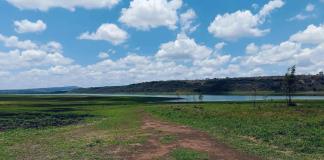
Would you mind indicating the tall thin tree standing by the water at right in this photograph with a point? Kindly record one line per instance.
(290, 80)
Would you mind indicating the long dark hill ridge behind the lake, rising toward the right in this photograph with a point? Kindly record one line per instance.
(272, 84)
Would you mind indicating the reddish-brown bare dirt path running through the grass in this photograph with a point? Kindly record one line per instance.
(185, 138)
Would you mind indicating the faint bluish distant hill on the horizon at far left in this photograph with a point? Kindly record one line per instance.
(51, 90)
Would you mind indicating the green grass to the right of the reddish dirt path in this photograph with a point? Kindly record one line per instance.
(273, 132)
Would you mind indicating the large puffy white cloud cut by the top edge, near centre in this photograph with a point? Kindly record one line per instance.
(147, 14)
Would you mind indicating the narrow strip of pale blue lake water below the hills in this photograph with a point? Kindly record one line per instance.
(213, 98)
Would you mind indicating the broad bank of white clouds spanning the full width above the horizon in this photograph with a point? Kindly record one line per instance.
(182, 58)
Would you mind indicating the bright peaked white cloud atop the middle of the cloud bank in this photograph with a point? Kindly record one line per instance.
(183, 48)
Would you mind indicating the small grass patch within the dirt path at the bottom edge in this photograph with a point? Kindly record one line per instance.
(187, 154)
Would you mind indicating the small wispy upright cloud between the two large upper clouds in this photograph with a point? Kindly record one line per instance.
(187, 20)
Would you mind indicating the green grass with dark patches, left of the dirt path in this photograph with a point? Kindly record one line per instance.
(69, 127)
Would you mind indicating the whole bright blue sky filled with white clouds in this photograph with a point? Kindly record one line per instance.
(118, 42)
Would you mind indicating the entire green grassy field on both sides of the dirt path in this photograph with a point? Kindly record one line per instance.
(82, 127)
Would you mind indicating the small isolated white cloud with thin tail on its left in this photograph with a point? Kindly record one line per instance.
(107, 32)
